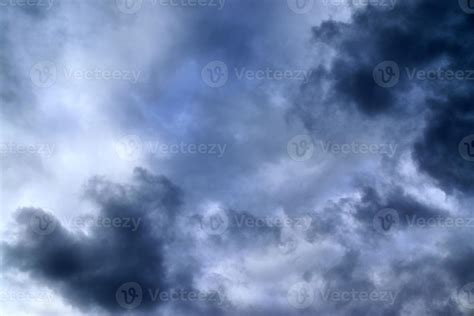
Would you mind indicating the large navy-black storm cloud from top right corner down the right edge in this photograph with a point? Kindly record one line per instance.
(405, 35)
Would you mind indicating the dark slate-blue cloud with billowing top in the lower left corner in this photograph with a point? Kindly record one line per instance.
(87, 269)
